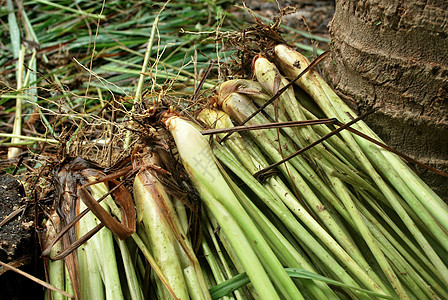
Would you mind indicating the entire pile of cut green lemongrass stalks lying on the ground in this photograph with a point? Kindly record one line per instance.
(343, 209)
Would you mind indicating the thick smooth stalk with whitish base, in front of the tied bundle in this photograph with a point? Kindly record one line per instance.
(199, 162)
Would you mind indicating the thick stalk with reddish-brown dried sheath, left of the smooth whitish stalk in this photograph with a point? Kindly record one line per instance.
(169, 244)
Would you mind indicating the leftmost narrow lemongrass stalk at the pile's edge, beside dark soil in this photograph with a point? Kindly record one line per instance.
(56, 273)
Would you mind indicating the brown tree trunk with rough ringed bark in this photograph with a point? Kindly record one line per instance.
(394, 53)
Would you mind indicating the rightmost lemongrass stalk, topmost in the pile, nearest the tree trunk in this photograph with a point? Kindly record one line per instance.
(431, 210)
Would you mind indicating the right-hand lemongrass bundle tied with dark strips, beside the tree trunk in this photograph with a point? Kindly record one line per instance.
(357, 200)
